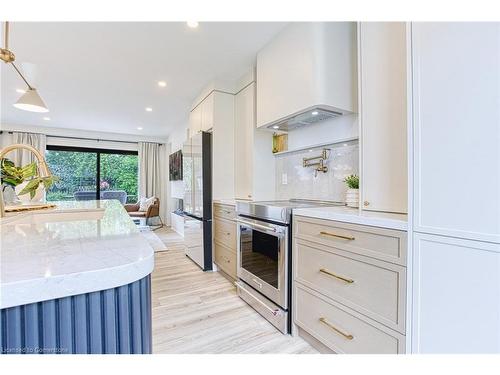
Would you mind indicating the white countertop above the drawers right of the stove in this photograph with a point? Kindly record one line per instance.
(355, 216)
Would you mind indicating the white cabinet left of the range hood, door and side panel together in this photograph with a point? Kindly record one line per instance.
(254, 171)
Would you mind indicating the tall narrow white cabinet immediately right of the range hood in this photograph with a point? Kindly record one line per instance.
(383, 116)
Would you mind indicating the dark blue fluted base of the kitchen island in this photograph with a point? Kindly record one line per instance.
(116, 320)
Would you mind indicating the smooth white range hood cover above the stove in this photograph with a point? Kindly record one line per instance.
(307, 65)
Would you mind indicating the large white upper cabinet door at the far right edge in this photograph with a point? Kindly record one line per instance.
(456, 105)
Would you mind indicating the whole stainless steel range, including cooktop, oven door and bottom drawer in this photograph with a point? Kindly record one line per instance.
(264, 257)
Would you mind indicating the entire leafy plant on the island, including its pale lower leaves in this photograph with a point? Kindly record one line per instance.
(24, 180)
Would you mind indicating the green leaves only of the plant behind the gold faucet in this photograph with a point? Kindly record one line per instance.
(13, 176)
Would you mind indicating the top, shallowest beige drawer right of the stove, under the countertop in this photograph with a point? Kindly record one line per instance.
(384, 244)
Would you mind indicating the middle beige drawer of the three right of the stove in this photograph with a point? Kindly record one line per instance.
(373, 288)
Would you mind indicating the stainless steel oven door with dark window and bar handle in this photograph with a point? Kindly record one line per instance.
(262, 258)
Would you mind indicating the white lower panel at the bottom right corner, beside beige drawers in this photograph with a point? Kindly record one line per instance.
(456, 295)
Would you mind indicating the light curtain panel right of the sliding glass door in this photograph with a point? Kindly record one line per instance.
(149, 170)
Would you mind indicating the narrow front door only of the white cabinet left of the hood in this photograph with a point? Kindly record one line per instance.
(244, 115)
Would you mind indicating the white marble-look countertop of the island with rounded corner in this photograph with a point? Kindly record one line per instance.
(77, 247)
